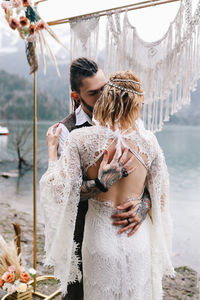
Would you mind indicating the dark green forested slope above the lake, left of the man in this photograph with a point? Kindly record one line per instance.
(16, 98)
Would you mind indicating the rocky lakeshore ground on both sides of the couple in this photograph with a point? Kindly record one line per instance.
(185, 286)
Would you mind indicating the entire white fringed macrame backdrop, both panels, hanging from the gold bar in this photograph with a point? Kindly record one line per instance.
(168, 68)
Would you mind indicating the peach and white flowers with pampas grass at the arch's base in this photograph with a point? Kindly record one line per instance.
(13, 277)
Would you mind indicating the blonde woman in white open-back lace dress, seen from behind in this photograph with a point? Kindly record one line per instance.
(115, 267)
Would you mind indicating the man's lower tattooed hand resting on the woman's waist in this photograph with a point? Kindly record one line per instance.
(134, 215)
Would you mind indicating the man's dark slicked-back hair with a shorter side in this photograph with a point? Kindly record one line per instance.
(80, 68)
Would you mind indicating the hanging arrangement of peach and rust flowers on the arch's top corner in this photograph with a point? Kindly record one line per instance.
(22, 16)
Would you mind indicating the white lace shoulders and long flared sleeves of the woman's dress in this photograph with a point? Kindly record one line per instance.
(60, 195)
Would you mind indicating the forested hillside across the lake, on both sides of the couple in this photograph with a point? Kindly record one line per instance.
(16, 102)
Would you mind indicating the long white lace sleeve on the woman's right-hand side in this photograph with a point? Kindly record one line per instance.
(158, 187)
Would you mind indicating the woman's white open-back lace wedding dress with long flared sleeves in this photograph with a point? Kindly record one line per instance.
(115, 267)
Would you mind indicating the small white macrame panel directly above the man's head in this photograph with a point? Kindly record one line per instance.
(84, 37)
